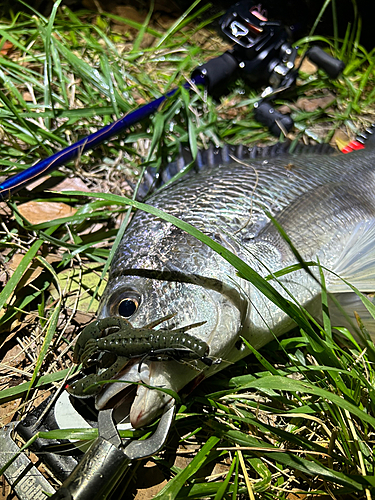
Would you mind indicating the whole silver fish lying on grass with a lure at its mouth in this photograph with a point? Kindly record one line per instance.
(324, 201)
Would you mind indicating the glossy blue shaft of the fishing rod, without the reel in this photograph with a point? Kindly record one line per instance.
(20, 180)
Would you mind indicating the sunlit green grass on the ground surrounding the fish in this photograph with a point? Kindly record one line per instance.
(297, 416)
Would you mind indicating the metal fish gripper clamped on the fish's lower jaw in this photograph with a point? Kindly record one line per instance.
(107, 459)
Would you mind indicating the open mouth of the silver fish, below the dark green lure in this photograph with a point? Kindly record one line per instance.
(139, 388)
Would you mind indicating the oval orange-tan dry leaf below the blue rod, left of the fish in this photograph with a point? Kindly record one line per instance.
(36, 212)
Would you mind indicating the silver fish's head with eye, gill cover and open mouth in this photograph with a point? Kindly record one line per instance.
(143, 298)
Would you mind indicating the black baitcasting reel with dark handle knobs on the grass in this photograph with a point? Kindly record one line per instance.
(262, 54)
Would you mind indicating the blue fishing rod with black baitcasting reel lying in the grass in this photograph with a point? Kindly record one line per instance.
(262, 54)
